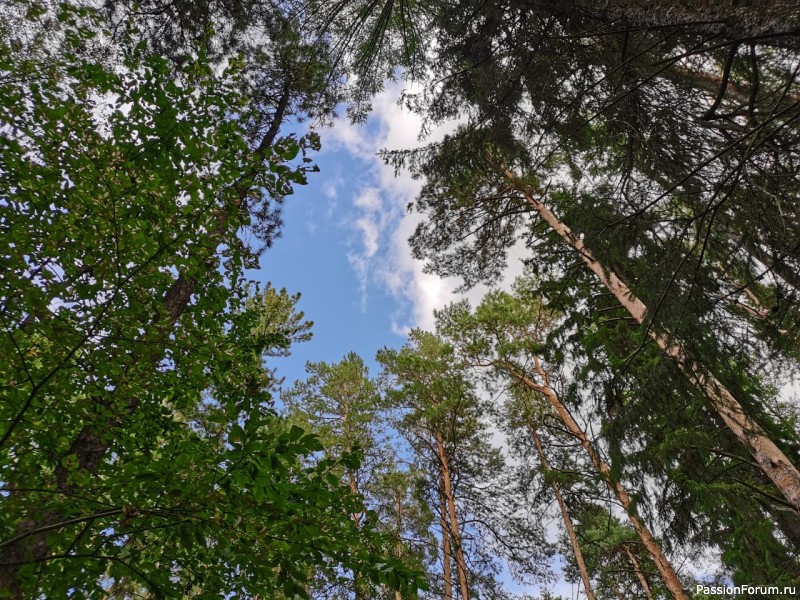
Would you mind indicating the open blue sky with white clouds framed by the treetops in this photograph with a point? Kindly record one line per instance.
(344, 248)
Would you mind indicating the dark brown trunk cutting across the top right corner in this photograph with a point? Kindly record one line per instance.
(775, 22)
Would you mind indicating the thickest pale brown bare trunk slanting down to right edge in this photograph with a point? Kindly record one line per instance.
(769, 457)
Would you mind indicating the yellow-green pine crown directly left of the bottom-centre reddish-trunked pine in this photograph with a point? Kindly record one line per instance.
(340, 403)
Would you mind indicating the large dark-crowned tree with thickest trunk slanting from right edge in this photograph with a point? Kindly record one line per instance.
(494, 63)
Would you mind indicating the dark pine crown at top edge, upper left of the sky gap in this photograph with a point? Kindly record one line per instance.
(284, 72)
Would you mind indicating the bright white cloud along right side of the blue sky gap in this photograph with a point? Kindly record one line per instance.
(384, 257)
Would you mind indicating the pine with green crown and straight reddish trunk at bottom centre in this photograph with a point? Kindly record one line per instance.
(443, 419)
